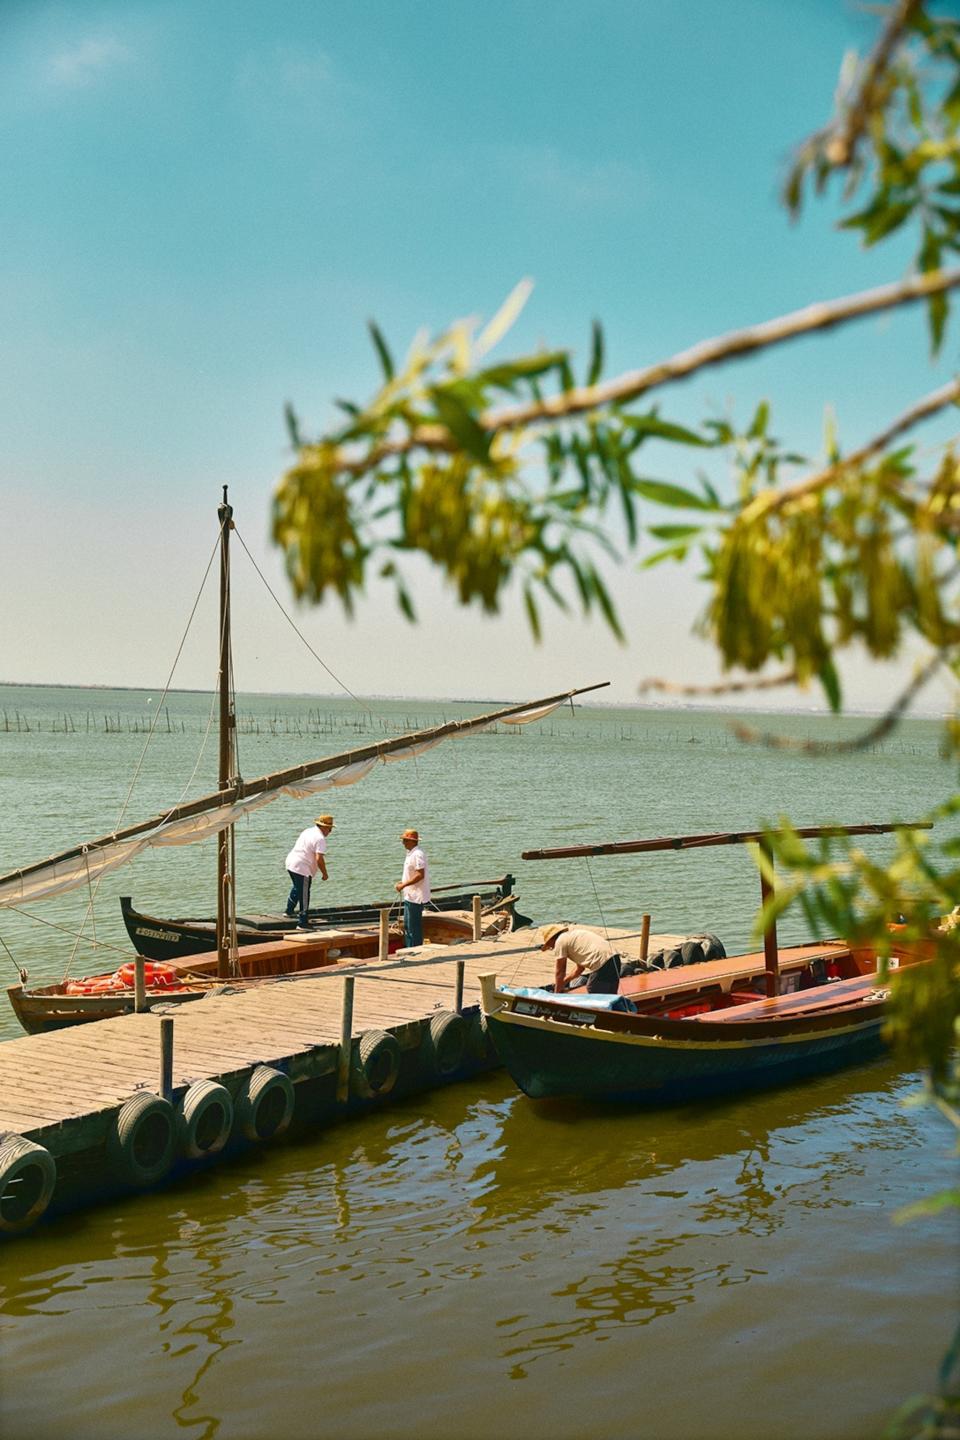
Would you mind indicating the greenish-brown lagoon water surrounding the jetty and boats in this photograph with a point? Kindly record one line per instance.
(473, 1264)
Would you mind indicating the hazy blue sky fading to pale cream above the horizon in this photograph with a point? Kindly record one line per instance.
(202, 207)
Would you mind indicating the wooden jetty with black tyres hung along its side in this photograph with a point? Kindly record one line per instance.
(123, 1104)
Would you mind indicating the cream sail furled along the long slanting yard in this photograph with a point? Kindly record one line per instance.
(198, 820)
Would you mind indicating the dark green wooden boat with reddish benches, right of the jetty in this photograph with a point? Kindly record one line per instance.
(710, 1030)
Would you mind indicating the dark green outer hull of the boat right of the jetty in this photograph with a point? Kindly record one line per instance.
(599, 1065)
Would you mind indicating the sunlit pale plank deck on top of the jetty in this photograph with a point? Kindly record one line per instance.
(63, 1088)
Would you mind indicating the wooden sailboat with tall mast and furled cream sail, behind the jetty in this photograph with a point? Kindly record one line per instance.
(260, 955)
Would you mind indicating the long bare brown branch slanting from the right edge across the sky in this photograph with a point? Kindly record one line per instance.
(579, 401)
